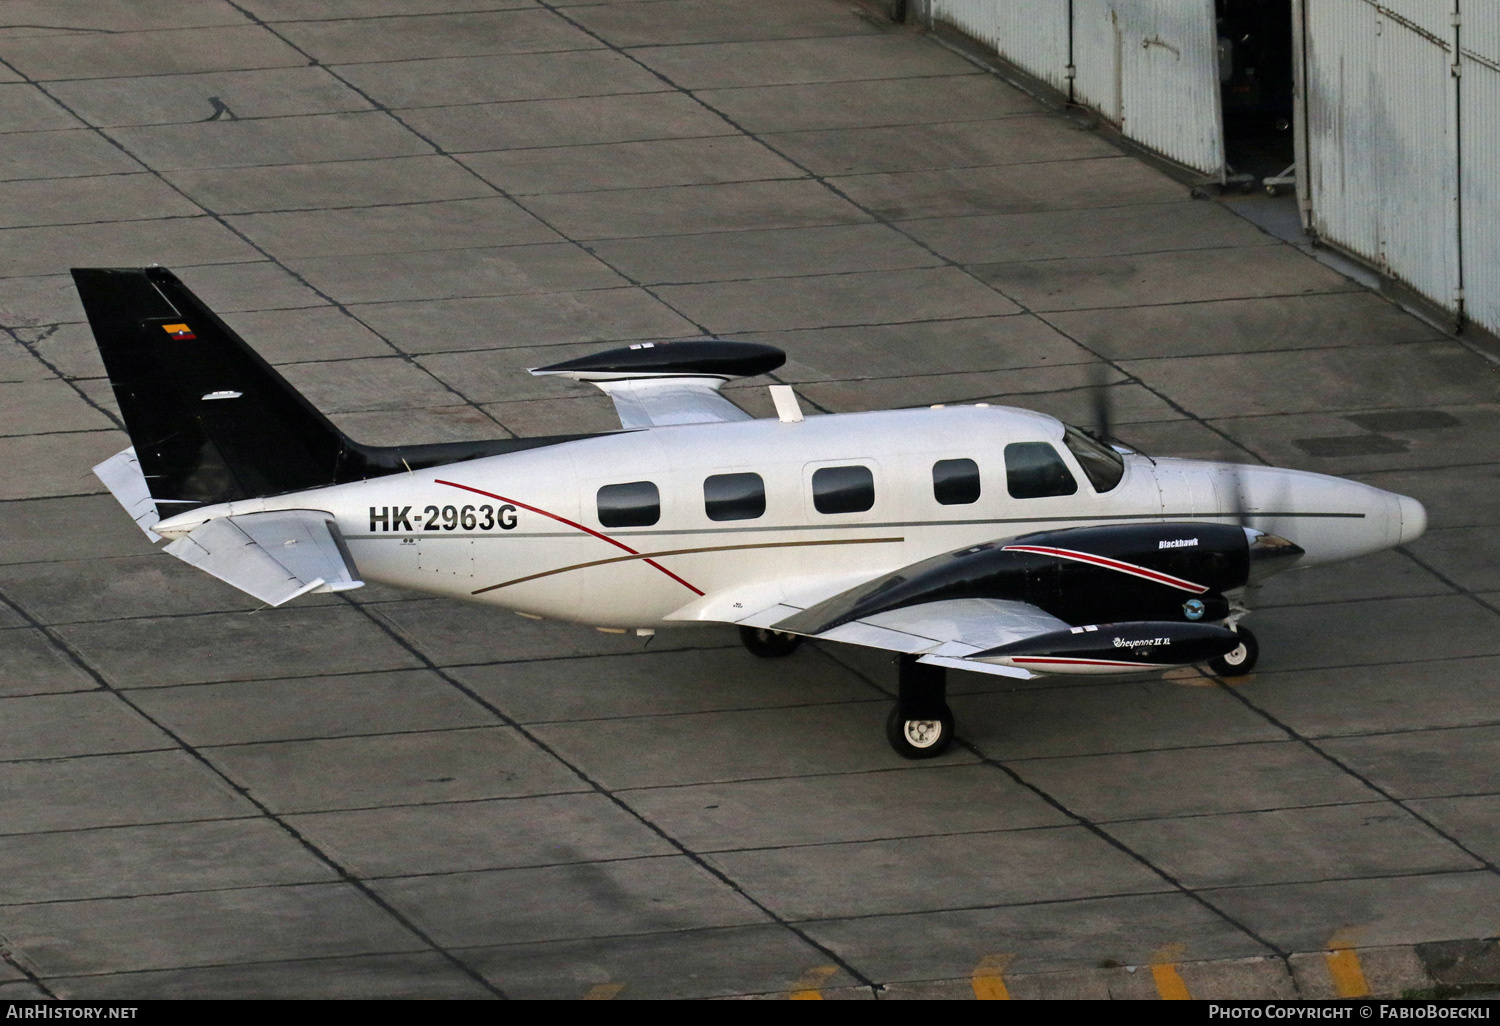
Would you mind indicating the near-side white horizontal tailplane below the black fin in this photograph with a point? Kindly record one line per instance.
(274, 557)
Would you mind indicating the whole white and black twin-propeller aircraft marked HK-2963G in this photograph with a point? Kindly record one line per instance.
(974, 538)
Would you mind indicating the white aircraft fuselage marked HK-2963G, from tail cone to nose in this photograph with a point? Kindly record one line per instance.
(527, 530)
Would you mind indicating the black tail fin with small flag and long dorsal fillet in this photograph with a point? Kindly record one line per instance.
(211, 419)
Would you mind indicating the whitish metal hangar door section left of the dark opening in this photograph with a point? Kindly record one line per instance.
(1147, 67)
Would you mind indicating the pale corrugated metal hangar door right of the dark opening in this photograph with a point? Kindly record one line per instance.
(1403, 142)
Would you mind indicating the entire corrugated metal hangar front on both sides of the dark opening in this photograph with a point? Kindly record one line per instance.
(1396, 115)
